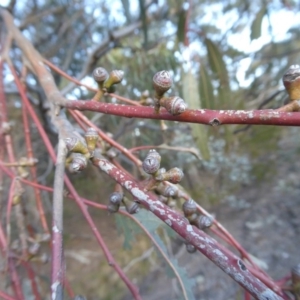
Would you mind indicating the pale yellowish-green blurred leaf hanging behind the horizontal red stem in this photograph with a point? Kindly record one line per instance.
(191, 96)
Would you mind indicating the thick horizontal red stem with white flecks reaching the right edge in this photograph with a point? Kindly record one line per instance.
(199, 116)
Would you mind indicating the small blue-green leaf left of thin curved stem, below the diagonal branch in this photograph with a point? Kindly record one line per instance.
(128, 228)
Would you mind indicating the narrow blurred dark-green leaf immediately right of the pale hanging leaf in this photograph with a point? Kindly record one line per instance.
(206, 89)
